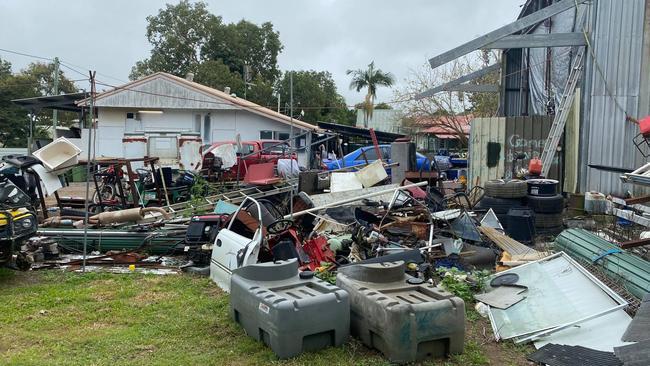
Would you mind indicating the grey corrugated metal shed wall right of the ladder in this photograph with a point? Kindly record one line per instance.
(617, 29)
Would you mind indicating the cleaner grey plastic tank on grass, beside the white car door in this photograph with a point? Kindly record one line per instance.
(288, 312)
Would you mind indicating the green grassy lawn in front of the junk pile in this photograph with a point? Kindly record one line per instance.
(52, 317)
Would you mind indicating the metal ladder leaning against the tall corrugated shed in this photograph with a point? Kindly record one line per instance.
(561, 115)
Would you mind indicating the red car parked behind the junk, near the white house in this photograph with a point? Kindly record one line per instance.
(252, 152)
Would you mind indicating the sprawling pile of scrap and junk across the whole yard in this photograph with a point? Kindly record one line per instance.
(340, 248)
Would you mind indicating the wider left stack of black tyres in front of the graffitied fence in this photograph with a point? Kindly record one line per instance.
(502, 195)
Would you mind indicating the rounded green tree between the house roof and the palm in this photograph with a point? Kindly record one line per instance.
(314, 93)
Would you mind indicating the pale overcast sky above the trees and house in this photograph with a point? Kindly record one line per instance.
(333, 35)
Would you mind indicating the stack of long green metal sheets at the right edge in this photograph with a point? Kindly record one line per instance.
(629, 269)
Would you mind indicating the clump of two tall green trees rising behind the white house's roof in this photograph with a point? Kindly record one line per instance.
(186, 35)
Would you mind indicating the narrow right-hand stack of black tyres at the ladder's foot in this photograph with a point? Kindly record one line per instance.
(543, 198)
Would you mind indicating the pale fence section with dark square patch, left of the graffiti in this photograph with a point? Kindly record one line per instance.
(486, 130)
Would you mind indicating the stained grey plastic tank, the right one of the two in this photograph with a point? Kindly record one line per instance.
(405, 322)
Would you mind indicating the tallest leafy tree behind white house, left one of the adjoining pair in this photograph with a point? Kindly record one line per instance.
(177, 35)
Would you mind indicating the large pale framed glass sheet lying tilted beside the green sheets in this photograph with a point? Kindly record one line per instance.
(559, 293)
